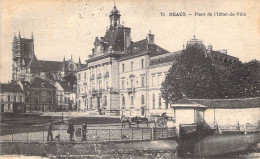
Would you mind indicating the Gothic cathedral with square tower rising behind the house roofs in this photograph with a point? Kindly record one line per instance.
(26, 65)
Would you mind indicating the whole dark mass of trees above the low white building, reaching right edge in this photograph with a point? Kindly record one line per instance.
(192, 75)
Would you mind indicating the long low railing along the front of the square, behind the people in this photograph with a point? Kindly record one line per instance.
(96, 135)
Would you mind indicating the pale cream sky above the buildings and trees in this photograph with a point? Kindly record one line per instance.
(69, 27)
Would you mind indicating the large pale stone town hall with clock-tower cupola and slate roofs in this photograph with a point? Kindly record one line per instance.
(123, 77)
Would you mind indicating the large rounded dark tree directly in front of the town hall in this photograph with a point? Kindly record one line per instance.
(191, 75)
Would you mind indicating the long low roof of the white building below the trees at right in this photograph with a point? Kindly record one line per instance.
(229, 103)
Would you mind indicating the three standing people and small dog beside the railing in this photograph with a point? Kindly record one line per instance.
(70, 131)
